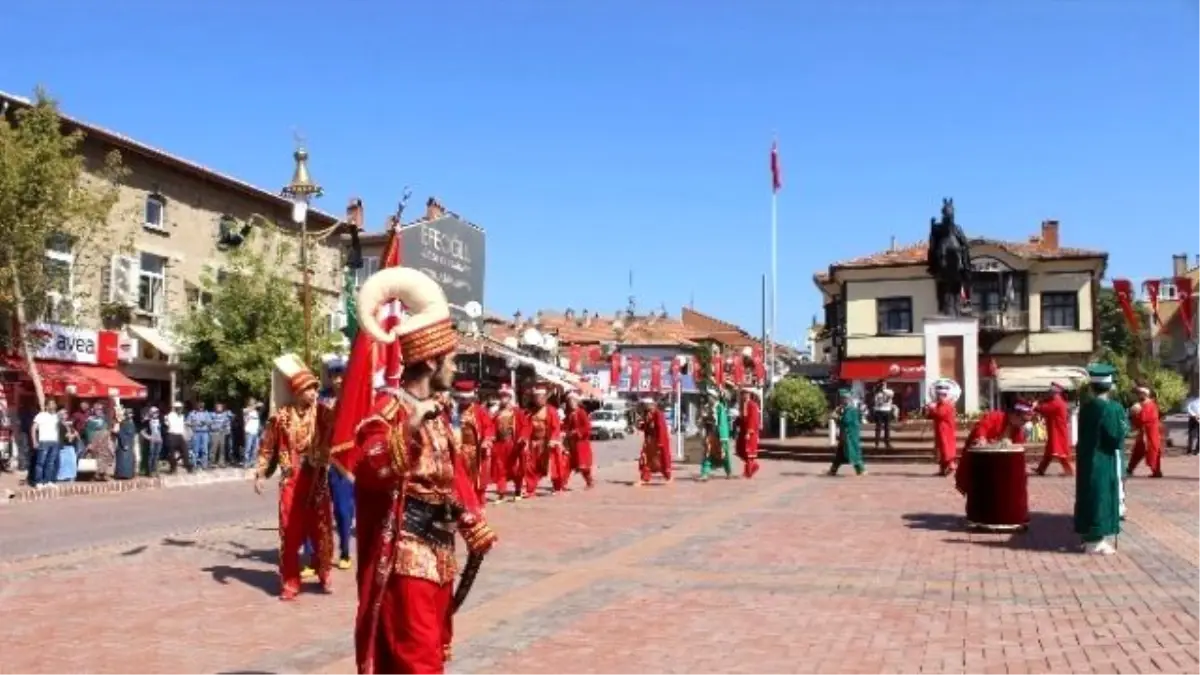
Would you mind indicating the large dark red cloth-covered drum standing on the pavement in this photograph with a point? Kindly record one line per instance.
(999, 495)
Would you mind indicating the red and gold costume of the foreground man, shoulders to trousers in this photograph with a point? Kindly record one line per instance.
(406, 581)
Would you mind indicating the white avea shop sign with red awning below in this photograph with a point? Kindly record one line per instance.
(76, 363)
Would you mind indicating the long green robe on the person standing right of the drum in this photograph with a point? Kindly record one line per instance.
(1102, 429)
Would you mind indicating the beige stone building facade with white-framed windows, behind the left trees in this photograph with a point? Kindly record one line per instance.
(163, 243)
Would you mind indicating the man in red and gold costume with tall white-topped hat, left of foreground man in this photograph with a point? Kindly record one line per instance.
(296, 441)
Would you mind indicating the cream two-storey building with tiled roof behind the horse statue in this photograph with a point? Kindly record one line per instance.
(1031, 321)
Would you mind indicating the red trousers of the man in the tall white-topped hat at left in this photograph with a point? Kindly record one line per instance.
(305, 513)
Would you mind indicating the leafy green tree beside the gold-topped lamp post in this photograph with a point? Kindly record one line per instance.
(255, 315)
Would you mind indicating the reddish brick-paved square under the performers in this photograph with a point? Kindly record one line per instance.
(793, 572)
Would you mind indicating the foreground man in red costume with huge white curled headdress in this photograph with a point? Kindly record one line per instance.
(412, 488)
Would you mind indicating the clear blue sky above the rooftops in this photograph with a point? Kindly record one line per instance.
(592, 139)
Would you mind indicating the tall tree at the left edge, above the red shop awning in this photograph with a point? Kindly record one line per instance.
(50, 198)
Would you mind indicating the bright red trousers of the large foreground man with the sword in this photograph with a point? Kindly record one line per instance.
(416, 628)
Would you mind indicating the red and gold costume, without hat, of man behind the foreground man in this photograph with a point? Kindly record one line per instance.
(293, 439)
